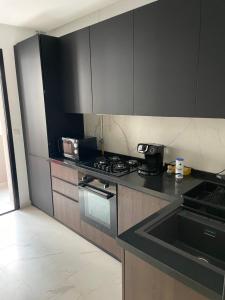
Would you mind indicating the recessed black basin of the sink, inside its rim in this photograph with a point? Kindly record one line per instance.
(197, 236)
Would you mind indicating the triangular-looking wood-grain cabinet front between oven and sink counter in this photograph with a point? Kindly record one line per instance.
(134, 207)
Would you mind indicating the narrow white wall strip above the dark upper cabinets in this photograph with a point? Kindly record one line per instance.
(100, 15)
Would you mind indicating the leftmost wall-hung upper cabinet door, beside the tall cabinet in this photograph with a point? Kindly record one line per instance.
(76, 72)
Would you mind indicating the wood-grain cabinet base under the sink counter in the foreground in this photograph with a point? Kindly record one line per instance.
(142, 281)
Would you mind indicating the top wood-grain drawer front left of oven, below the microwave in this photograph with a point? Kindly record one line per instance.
(65, 173)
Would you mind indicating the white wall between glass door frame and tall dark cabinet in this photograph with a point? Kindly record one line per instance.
(9, 36)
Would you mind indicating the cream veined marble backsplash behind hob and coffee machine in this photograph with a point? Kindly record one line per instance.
(200, 141)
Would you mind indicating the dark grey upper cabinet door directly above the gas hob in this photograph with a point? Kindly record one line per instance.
(112, 65)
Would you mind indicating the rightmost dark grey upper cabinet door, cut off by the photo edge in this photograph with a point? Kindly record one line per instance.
(211, 81)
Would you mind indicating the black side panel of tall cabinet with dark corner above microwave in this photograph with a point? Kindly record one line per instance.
(58, 123)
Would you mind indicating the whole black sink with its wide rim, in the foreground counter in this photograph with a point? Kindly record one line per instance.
(189, 243)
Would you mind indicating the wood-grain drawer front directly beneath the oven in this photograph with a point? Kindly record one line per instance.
(101, 239)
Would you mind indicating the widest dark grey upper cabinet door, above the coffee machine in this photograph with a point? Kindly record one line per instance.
(166, 39)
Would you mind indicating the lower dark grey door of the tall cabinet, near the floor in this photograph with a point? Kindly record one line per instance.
(40, 183)
